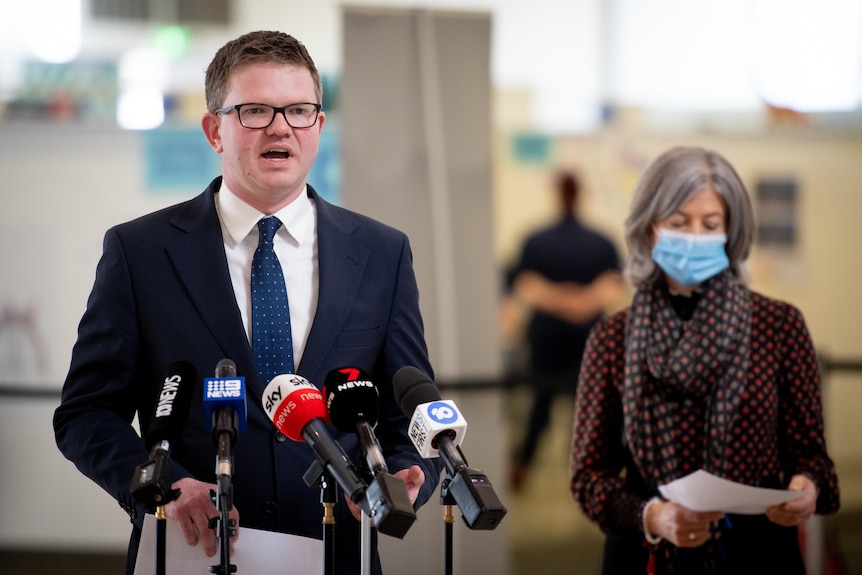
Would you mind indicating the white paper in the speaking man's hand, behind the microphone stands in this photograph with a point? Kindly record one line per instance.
(256, 552)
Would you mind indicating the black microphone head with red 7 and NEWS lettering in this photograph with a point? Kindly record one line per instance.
(351, 397)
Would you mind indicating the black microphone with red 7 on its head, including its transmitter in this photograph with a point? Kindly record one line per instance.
(353, 403)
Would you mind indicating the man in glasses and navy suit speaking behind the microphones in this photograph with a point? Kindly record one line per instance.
(174, 285)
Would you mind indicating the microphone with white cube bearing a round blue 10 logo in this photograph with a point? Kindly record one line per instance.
(437, 429)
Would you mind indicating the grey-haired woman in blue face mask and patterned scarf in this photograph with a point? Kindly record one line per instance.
(699, 372)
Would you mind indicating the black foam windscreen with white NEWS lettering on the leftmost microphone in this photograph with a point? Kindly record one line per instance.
(172, 404)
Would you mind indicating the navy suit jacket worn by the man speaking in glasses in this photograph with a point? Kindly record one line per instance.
(162, 293)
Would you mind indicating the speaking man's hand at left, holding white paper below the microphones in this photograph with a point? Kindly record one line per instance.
(193, 510)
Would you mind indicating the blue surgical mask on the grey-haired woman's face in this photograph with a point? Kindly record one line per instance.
(690, 259)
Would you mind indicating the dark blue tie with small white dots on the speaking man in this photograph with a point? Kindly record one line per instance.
(270, 314)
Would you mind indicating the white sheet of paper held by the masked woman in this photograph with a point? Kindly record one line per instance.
(703, 491)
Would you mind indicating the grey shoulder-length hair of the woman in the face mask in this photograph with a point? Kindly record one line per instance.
(669, 182)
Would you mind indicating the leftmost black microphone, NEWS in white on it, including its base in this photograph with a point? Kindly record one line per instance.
(151, 483)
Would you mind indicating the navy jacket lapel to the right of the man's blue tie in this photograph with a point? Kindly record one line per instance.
(341, 266)
